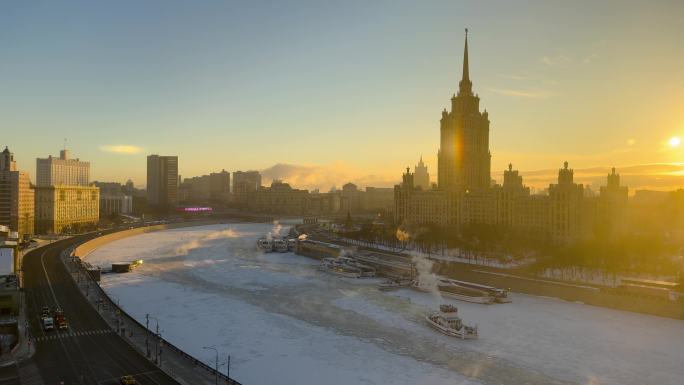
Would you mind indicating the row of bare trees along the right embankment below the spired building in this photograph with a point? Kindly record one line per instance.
(646, 253)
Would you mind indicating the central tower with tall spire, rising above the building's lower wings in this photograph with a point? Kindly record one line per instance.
(464, 160)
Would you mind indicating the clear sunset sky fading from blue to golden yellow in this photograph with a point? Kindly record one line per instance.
(321, 92)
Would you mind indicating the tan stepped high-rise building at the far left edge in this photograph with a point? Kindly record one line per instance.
(17, 205)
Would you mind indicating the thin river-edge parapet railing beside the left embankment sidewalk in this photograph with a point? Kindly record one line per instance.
(102, 294)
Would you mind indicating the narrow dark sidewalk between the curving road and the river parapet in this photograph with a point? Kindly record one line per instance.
(182, 367)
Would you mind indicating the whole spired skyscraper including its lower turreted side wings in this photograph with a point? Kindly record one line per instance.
(466, 195)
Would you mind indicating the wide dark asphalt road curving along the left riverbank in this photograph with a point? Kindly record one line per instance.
(89, 352)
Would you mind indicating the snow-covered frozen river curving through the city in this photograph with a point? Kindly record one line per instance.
(283, 321)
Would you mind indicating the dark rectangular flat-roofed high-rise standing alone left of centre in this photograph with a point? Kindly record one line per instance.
(162, 181)
